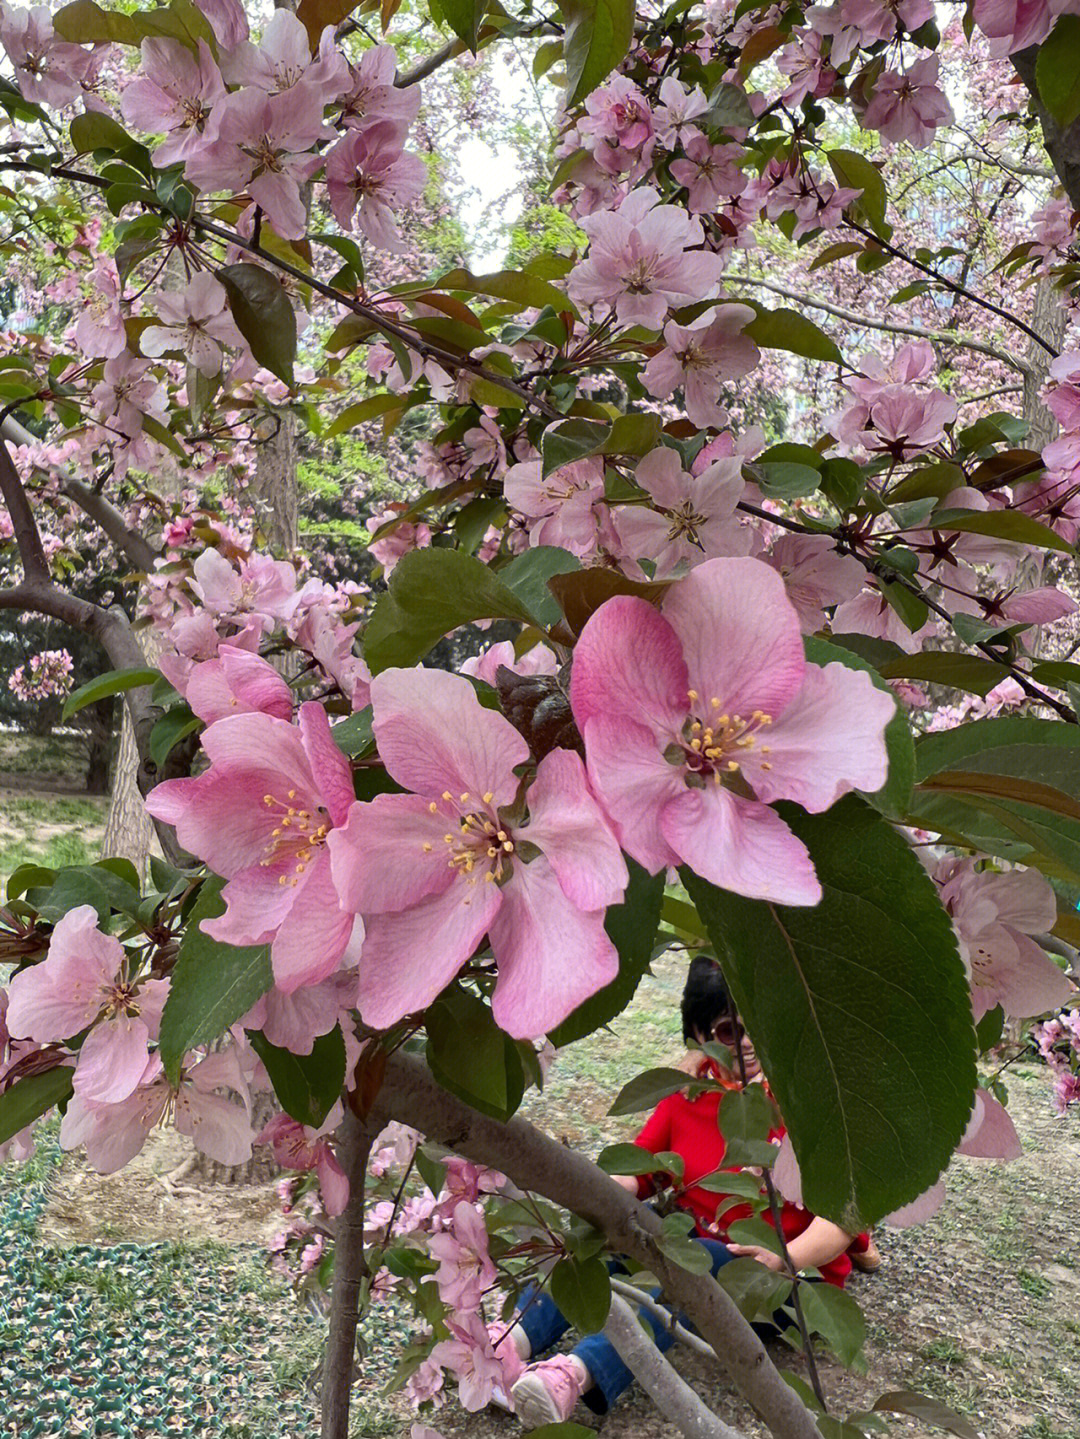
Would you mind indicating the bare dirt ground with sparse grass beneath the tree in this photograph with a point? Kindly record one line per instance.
(979, 1309)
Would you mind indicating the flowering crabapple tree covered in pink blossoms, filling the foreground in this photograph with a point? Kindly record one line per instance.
(392, 889)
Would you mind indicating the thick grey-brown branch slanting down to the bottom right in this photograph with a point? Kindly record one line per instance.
(539, 1163)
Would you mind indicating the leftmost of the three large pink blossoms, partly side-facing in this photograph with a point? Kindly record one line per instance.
(261, 817)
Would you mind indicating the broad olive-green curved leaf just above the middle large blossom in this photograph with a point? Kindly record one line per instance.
(431, 594)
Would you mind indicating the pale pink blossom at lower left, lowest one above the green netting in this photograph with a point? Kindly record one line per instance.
(114, 1133)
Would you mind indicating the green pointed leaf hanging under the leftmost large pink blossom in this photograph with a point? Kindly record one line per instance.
(214, 984)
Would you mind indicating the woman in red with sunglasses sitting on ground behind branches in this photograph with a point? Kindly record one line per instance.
(593, 1372)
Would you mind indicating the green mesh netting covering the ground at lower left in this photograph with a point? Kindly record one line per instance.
(134, 1340)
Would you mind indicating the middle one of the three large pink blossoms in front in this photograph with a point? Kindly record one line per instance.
(436, 870)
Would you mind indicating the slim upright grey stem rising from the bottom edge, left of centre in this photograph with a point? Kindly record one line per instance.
(350, 1271)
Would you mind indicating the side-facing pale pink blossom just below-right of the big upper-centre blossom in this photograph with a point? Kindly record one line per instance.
(701, 358)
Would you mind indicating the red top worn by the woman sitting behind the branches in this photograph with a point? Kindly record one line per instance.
(690, 1129)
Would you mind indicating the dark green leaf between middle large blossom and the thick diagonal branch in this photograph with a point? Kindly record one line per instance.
(471, 1057)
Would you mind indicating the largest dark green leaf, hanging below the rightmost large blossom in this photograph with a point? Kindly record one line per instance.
(859, 1011)
